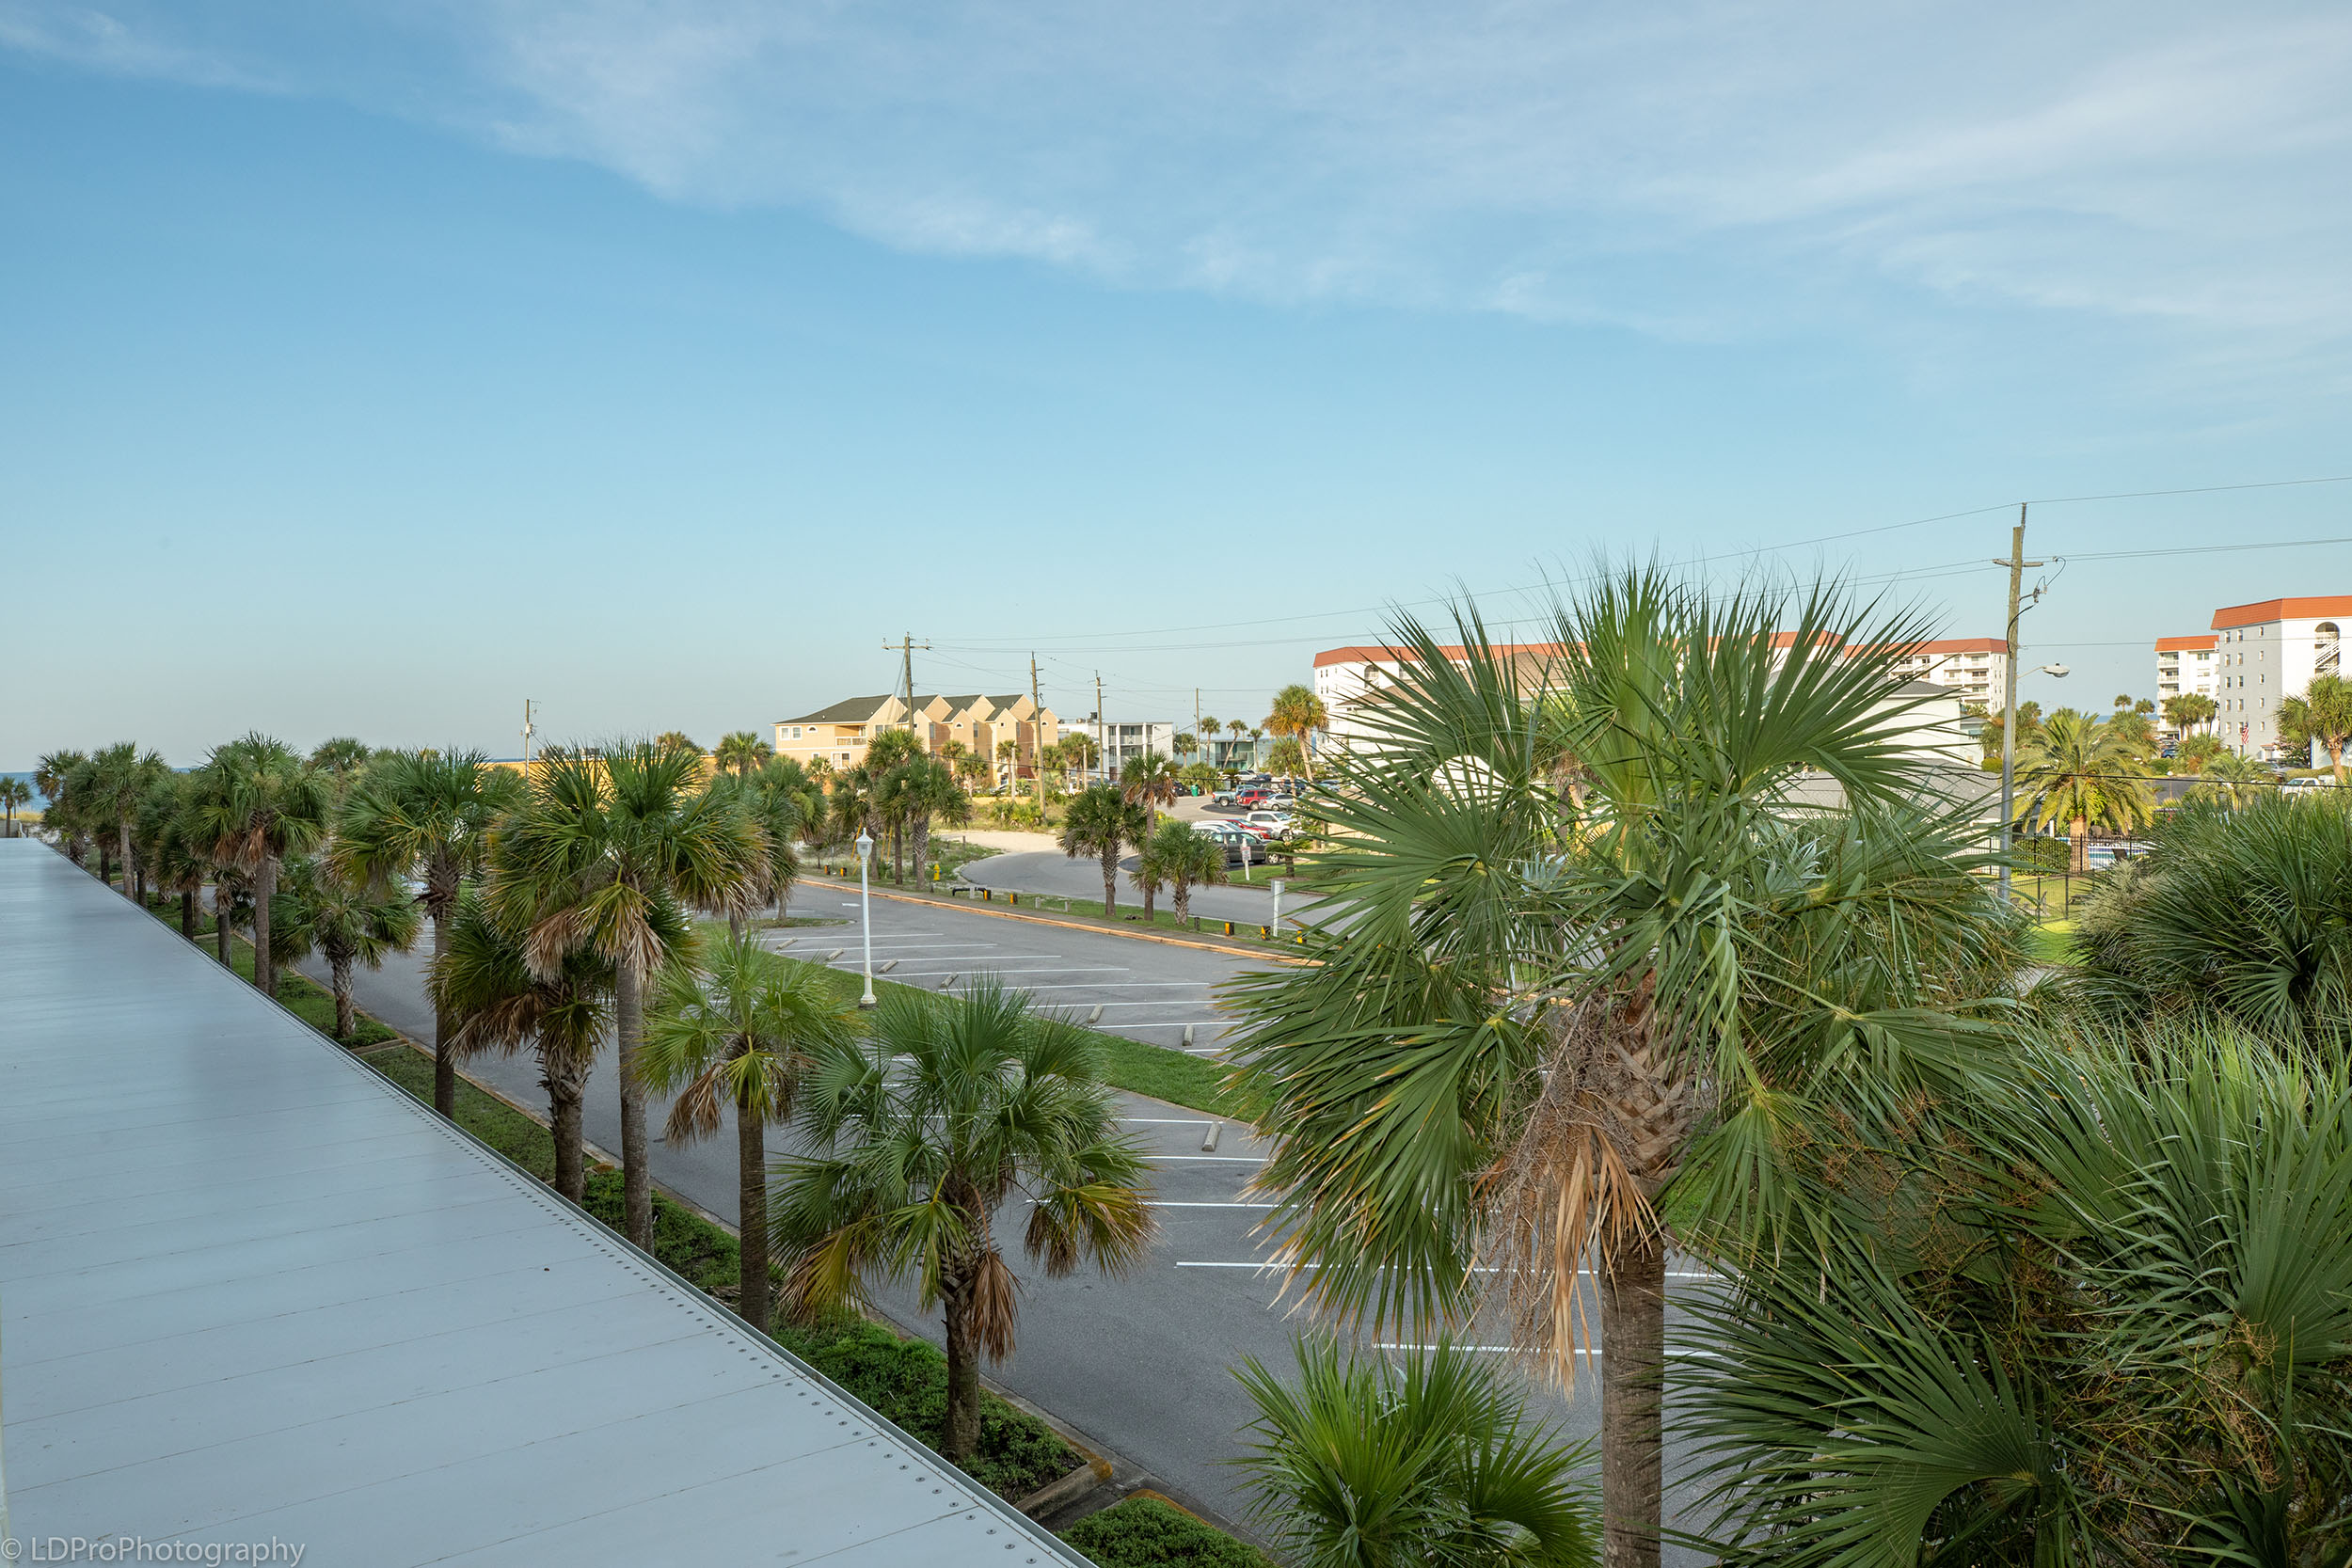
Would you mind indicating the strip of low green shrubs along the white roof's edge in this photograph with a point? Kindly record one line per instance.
(907, 1381)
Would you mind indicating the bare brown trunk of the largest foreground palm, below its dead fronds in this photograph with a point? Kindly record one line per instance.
(1633, 1395)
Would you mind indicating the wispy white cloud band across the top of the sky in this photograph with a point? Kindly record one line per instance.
(1697, 168)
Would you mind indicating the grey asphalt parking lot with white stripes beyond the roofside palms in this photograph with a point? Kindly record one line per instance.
(1140, 1365)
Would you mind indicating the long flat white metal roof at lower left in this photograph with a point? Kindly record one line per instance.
(250, 1292)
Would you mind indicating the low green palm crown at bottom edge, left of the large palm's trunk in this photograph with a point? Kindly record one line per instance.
(1401, 1463)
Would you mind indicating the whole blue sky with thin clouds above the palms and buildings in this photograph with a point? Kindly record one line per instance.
(373, 368)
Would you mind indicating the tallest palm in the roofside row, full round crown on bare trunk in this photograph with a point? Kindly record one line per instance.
(608, 857)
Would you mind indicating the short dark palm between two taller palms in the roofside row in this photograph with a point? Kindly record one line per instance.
(483, 981)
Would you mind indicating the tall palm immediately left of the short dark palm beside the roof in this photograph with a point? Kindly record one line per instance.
(427, 817)
